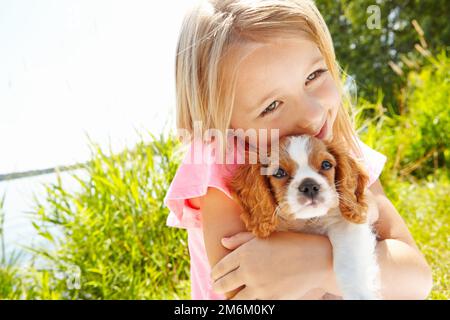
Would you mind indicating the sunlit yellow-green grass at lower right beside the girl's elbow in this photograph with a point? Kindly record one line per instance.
(424, 206)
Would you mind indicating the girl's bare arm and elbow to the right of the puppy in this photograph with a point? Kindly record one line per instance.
(405, 273)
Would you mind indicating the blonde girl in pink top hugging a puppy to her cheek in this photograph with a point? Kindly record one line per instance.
(269, 65)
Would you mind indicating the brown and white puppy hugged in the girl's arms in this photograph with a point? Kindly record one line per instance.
(314, 187)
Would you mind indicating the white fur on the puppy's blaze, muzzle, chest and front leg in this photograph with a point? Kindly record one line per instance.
(354, 258)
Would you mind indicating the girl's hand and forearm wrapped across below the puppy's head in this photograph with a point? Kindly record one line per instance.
(286, 265)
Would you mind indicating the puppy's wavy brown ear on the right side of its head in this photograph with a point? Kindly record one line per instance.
(350, 181)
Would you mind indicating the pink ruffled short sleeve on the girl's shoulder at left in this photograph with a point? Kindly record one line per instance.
(195, 174)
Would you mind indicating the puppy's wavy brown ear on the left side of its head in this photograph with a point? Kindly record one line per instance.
(252, 191)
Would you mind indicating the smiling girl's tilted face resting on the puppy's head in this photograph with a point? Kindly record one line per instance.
(284, 84)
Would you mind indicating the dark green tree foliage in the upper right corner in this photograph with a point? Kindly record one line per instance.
(366, 53)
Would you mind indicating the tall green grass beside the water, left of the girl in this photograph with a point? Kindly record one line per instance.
(108, 240)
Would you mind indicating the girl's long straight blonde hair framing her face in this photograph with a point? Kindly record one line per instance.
(205, 83)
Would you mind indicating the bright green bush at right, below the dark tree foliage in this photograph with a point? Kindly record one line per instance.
(416, 141)
